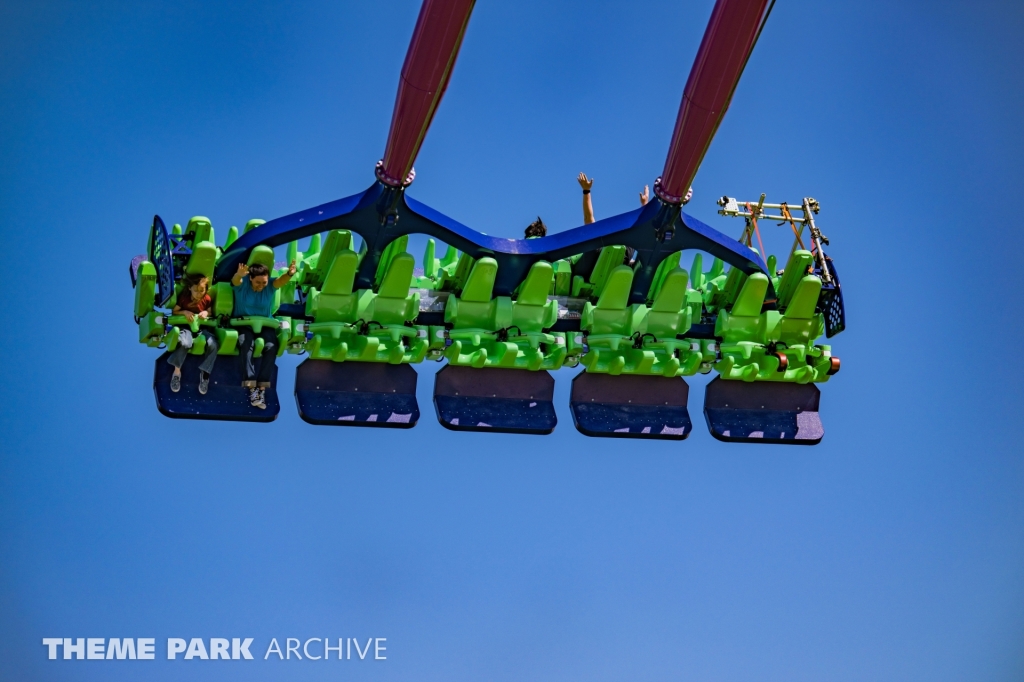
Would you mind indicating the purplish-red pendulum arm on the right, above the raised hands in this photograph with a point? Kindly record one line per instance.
(728, 45)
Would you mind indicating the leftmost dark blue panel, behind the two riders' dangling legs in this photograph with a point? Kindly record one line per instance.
(228, 400)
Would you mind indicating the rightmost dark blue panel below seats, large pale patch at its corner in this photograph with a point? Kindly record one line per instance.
(763, 412)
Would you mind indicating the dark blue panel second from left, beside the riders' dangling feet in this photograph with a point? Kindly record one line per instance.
(357, 395)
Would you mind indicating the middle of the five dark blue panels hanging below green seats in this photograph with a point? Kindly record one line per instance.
(495, 400)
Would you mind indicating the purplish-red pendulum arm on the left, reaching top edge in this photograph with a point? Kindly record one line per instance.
(424, 76)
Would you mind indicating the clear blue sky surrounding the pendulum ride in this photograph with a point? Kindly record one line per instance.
(892, 551)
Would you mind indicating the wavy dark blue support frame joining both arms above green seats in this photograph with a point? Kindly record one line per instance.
(382, 215)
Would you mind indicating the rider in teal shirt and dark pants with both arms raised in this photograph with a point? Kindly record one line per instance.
(254, 299)
